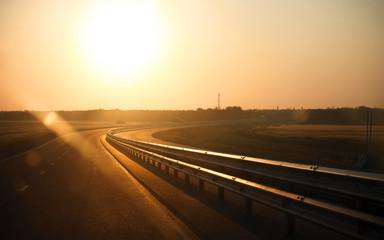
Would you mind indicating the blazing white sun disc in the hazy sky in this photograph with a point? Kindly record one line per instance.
(121, 38)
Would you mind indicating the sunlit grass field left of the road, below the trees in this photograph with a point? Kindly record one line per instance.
(19, 136)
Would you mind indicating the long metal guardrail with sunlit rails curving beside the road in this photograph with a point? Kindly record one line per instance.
(365, 190)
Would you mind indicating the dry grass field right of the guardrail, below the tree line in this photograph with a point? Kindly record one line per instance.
(326, 145)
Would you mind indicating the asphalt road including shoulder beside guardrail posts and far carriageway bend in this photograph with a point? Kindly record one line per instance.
(79, 187)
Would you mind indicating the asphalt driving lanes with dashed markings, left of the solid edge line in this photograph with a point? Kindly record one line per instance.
(71, 188)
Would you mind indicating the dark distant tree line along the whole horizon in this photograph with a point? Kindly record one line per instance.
(349, 116)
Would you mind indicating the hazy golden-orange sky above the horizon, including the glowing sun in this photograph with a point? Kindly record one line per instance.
(68, 55)
